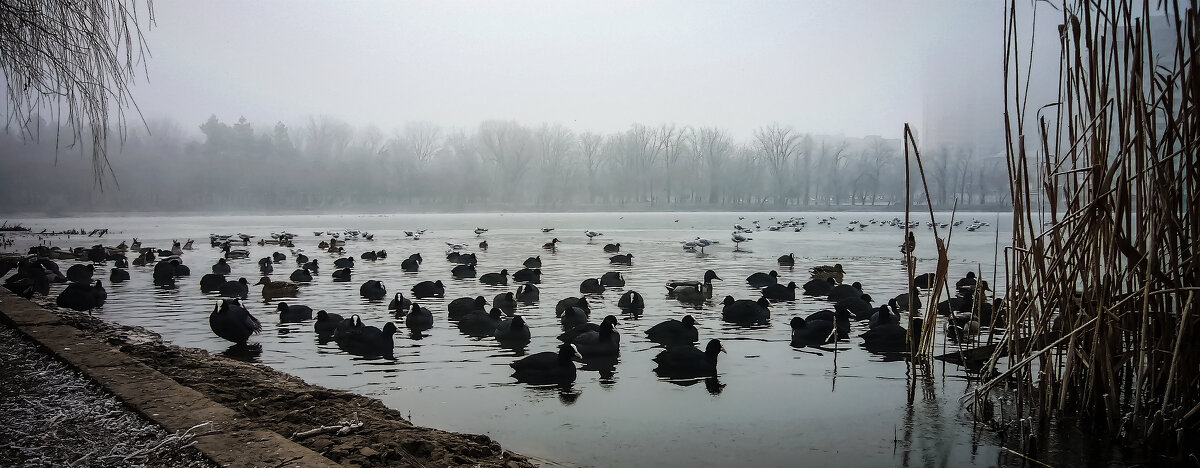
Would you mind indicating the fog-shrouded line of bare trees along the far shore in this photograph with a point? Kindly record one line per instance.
(325, 164)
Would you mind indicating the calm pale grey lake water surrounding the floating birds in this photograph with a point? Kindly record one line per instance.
(773, 405)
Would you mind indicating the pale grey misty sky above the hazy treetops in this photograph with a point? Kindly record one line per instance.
(823, 67)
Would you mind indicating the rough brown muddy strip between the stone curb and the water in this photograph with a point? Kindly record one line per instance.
(286, 405)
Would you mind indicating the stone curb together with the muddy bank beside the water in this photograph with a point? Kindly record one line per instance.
(255, 411)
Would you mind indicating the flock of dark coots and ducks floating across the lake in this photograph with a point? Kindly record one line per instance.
(478, 317)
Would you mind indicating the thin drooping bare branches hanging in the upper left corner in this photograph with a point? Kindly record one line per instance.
(80, 57)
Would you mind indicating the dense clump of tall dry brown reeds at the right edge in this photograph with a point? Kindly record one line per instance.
(1100, 301)
